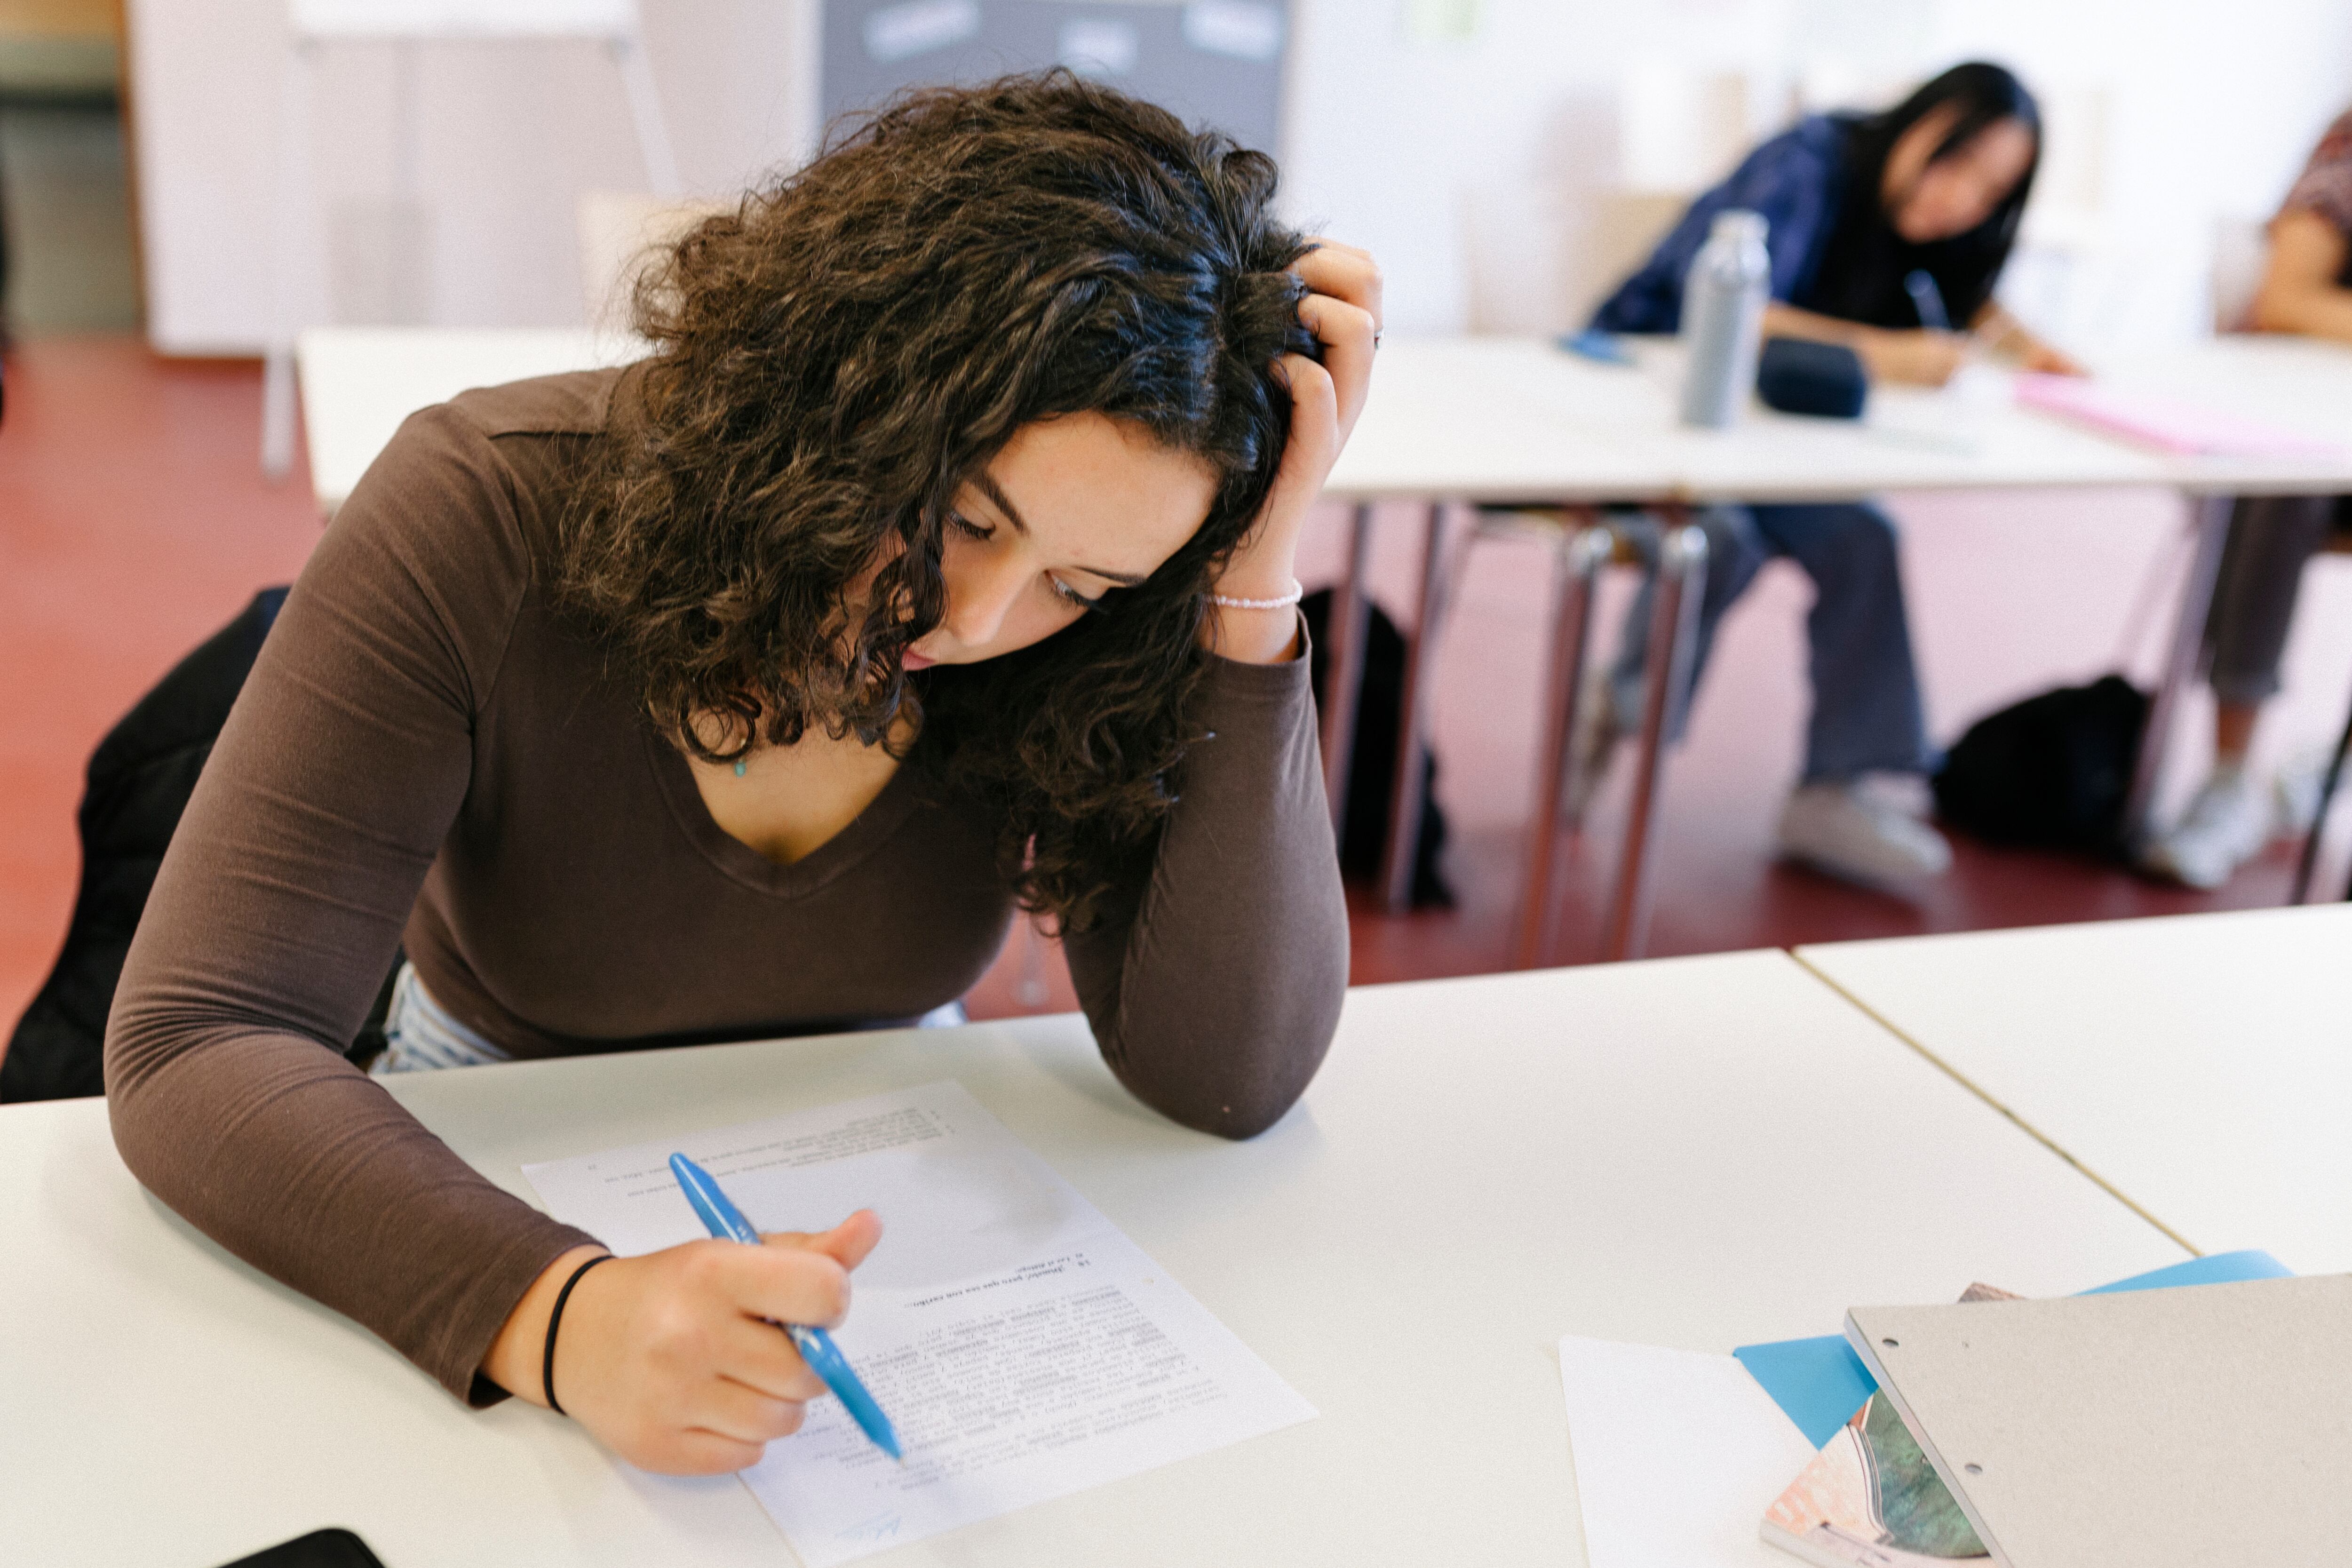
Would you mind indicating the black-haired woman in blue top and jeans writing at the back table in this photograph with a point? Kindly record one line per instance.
(1885, 234)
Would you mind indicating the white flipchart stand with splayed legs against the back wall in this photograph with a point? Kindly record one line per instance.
(406, 25)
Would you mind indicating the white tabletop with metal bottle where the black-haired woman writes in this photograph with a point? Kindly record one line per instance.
(1518, 420)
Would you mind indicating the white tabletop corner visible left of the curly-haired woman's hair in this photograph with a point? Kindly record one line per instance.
(361, 382)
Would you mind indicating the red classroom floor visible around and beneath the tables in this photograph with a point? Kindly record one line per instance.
(133, 523)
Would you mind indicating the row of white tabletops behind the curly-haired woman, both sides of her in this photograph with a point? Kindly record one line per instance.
(1516, 420)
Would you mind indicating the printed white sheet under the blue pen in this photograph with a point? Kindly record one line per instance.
(1022, 1343)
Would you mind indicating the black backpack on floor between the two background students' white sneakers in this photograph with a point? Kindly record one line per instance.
(2050, 772)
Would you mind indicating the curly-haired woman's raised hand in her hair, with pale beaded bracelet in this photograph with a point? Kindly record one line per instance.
(1344, 314)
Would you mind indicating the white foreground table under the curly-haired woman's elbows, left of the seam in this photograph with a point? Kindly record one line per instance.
(1690, 1153)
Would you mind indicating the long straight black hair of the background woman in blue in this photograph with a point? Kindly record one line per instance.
(1866, 262)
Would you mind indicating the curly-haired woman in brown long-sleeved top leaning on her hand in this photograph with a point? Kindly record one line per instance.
(940, 561)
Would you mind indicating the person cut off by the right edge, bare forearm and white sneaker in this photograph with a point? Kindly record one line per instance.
(2306, 290)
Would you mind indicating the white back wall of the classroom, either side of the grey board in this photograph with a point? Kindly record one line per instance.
(1466, 166)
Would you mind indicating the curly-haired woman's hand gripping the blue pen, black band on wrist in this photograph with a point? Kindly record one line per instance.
(674, 1360)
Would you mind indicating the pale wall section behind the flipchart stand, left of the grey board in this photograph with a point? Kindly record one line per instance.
(509, 135)
